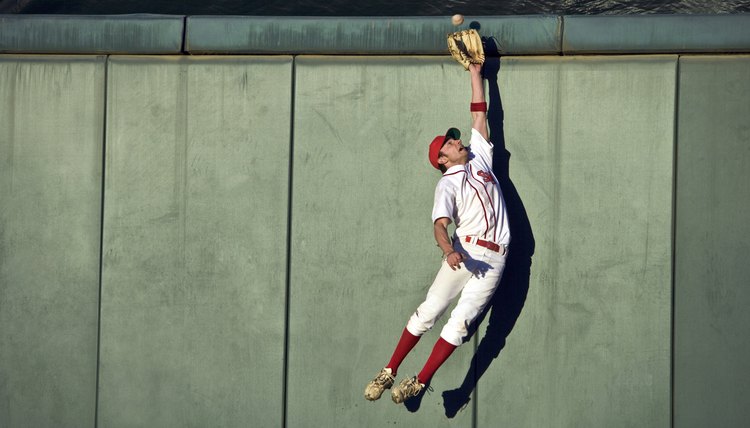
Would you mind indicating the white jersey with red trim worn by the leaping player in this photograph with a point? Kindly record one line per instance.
(470, 196)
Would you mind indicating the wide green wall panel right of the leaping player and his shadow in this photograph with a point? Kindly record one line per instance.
(591, 145)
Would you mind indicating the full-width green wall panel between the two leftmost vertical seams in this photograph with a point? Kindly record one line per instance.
(195, 215)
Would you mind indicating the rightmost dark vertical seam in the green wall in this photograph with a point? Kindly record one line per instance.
(674, 240)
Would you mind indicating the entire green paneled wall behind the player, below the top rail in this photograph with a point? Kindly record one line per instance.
(233, 241)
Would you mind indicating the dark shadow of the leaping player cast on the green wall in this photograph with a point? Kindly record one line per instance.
(506, 305)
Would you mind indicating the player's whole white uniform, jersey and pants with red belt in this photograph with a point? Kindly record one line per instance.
(469, 195)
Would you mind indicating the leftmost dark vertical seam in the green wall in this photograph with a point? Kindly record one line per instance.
(101, 242)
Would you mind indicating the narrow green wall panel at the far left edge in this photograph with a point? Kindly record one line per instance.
(51, 142)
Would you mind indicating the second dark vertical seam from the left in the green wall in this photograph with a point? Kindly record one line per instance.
(285, 374)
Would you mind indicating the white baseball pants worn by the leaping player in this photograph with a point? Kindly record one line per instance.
(476, 281)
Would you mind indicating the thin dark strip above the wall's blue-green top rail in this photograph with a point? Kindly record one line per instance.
(371, 8)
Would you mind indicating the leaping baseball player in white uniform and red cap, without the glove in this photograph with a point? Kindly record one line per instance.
(468, 194)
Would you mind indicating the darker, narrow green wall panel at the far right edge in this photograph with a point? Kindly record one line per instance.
(711, 243)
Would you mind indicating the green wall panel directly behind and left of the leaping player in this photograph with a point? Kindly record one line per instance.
(363, 253)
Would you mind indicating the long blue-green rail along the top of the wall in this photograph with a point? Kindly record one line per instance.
(512, 35)
